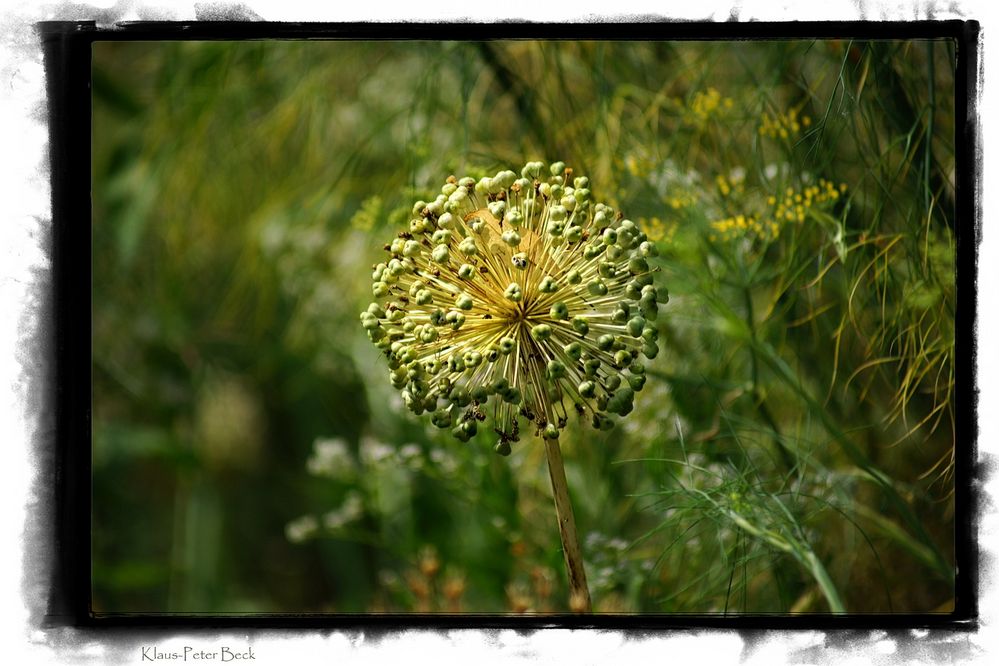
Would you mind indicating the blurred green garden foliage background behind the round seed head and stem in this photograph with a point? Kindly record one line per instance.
(792, 451)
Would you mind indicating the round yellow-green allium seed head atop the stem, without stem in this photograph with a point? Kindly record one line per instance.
(513, 297)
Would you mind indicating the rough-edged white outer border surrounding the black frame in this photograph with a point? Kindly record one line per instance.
(24, 221)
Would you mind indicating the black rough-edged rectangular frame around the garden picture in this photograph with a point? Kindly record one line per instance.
(67, 57)
